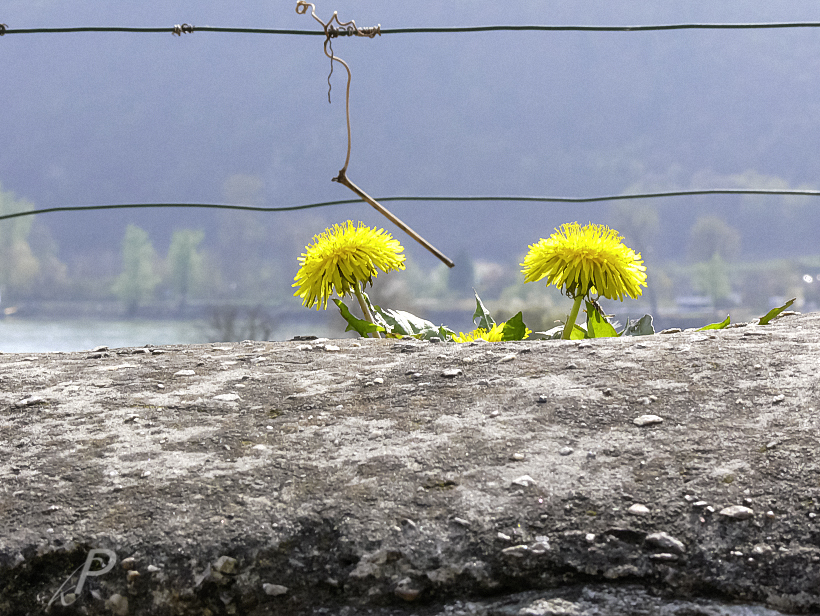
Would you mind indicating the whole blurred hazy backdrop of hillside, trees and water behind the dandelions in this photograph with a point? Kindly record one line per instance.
(98, 118)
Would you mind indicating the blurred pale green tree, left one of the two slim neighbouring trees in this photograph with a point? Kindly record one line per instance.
(138, 279)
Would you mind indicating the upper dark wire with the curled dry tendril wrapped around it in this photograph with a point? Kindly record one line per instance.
(434, 30)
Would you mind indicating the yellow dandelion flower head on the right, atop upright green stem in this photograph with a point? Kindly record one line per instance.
(583, 260)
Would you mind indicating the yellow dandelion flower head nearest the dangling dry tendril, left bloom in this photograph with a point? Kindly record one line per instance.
(343, 257)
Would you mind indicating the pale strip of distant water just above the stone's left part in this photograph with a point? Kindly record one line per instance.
(41, 336)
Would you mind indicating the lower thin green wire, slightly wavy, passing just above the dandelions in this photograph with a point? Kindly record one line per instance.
(291, 208)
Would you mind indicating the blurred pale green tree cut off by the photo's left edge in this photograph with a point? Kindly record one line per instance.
(18, 265)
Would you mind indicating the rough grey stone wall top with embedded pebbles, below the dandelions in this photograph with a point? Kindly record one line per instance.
(287, 465)
